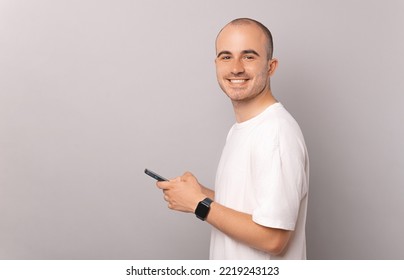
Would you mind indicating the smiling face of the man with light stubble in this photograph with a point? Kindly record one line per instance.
(242, 66)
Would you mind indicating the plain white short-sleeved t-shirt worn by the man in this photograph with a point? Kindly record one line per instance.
(264, 171)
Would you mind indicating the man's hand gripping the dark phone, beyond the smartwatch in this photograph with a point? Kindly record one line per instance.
(182, 193)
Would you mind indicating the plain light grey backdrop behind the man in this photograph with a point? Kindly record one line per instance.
(92, 92)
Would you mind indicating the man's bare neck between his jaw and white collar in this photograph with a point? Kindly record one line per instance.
(248, 109)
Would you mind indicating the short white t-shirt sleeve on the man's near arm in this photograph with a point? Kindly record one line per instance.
(278, 173)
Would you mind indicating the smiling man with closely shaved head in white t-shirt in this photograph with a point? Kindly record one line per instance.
(258, 208)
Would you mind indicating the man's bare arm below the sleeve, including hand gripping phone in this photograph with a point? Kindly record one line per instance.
(184, 193)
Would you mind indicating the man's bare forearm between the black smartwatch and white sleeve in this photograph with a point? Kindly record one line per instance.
(242, 228)
